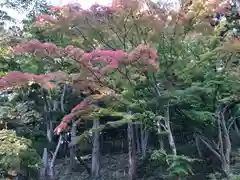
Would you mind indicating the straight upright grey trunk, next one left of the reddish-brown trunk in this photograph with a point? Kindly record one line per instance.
(96, 150)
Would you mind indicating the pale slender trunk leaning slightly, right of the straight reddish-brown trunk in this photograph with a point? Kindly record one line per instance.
(170, 135)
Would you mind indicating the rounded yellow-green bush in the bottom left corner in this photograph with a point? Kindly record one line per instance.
(17, 154)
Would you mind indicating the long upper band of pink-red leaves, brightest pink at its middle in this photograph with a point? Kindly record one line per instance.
(142, 55)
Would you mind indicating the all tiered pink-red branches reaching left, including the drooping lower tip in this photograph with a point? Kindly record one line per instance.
(92, 74)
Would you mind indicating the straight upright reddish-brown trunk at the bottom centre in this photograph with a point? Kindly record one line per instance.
(132, 174)
